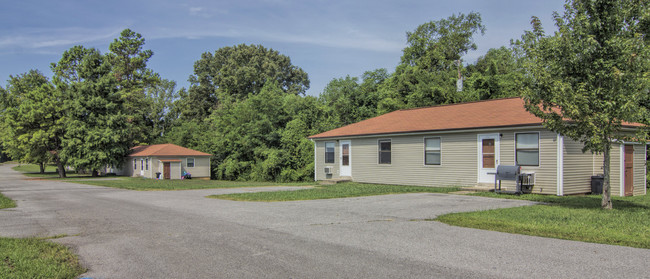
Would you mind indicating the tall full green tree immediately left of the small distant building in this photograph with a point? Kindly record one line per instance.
(96, 129)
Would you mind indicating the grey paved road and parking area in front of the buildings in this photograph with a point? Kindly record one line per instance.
(181, 234)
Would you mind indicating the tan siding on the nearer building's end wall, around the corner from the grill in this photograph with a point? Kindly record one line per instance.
(578, 168)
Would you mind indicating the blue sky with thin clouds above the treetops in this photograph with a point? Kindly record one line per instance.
(327, 39)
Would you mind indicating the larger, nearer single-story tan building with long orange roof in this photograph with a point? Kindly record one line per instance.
(462, 144)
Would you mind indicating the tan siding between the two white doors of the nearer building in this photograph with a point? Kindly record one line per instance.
(457, 168)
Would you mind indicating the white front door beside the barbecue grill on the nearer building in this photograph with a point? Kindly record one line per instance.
(488, 157)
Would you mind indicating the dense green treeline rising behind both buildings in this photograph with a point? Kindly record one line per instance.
(246, 104)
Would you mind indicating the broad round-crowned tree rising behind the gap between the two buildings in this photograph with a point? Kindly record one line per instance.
(234, 73)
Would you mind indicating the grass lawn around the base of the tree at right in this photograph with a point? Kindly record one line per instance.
(571, 217)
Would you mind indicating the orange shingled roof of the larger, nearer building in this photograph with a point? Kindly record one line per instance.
(481, 114)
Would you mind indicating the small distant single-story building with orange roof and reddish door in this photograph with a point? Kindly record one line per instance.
(165, 161)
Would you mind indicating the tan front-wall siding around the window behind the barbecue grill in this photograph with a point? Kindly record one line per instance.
(546, 172)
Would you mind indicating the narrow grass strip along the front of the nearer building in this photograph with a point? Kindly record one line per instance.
(340, 190)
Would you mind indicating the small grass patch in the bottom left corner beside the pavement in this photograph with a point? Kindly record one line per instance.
(36, 258)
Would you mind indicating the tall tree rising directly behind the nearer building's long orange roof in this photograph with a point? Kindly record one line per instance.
(430, 63)
